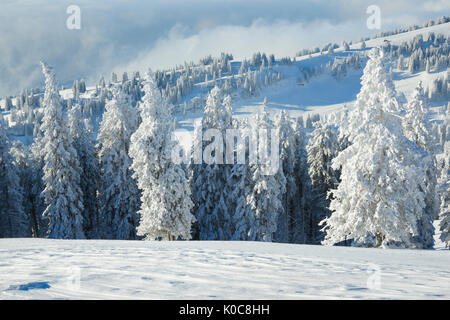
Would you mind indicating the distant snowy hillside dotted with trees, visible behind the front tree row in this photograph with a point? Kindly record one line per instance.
(319, 92)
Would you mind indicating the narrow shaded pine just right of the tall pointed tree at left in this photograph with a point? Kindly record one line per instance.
(84, 145)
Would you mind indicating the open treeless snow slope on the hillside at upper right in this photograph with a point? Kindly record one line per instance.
(323, 94)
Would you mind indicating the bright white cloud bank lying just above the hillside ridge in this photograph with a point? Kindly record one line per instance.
(281, 38)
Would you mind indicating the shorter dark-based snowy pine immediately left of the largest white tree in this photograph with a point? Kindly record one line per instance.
(322, 148)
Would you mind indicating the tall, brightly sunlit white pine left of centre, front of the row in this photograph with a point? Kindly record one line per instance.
(166, 203)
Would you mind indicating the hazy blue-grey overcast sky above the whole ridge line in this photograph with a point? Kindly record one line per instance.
(131, 35)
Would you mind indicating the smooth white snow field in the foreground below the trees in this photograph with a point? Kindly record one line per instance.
(74, 269)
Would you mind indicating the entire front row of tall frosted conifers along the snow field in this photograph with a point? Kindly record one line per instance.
(368, 176)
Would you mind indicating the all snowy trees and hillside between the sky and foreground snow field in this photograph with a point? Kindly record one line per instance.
(369, 169)
